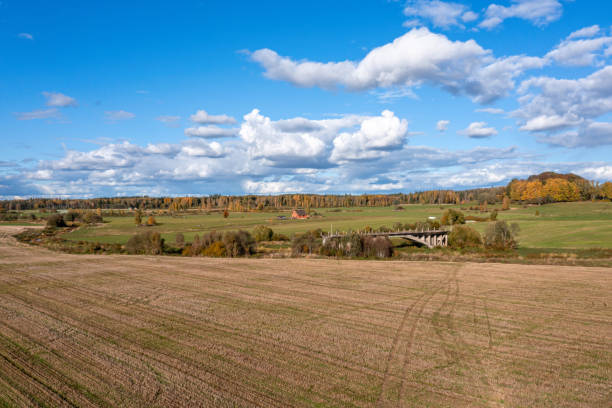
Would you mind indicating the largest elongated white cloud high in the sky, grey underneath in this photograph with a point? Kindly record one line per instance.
(419, 56)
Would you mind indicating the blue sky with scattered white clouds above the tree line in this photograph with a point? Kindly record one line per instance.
(203, 97)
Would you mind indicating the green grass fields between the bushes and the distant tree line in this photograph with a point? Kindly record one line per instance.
(559, 226)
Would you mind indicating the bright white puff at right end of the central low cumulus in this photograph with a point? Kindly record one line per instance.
(374, 139)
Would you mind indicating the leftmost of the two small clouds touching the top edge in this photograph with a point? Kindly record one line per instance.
(441, 14)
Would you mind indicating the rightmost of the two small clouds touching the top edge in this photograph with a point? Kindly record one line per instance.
(538, 12)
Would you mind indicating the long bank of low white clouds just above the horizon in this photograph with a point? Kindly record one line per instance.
(289, 155)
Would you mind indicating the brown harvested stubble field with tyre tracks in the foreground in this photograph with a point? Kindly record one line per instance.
(164, 331)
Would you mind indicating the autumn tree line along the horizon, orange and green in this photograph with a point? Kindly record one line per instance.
(545, 187)
